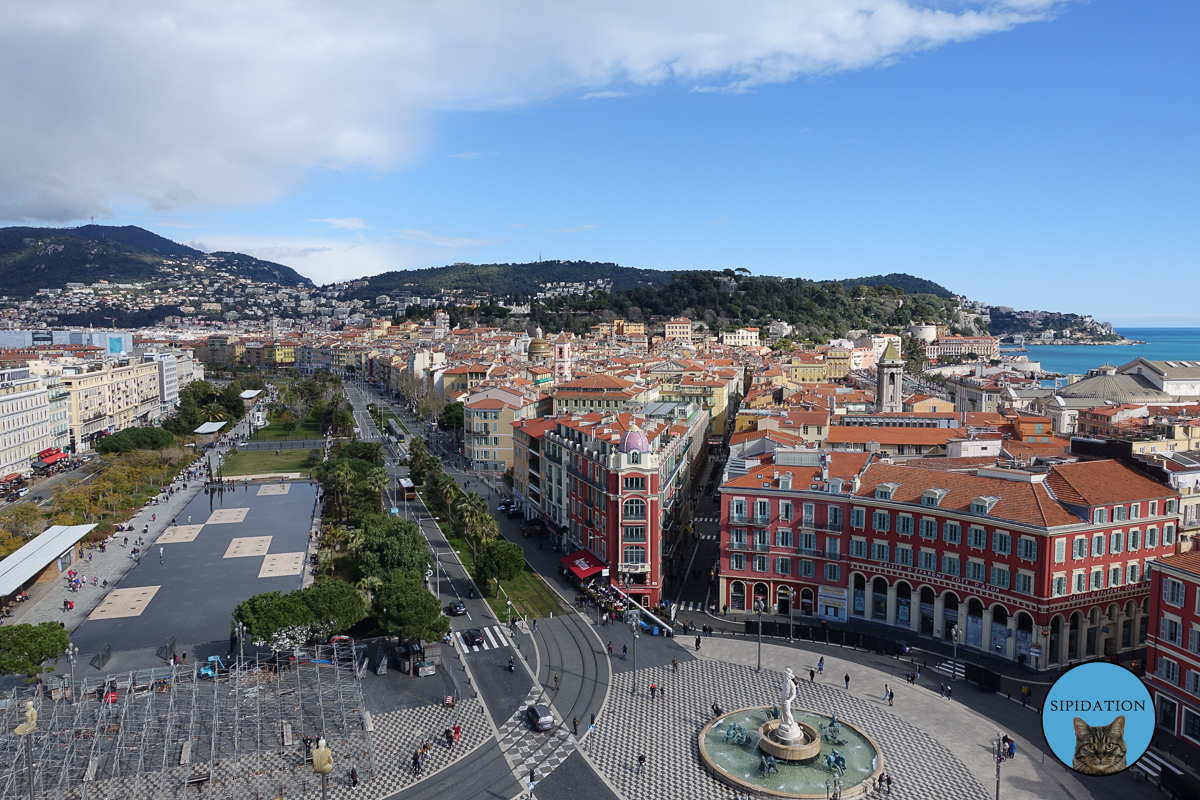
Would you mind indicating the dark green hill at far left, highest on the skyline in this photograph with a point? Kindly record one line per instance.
(46, 258)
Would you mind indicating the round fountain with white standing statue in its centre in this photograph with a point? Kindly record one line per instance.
(767, 750)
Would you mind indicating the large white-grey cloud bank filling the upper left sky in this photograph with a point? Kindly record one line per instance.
(208, 105)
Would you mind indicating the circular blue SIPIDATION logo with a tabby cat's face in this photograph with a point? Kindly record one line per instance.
(1099, 719)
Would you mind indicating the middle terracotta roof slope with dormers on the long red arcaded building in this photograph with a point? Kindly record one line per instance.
(1028, 504)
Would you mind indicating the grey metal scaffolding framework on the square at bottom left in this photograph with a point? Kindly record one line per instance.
(233, 733)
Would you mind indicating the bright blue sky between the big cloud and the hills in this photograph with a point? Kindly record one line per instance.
(1043, 164)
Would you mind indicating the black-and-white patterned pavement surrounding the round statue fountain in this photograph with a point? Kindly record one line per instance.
(665, 730)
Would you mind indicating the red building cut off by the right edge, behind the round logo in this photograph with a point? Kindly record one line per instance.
(1173, 648)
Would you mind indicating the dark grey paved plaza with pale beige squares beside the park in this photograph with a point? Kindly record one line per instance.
(250, 543)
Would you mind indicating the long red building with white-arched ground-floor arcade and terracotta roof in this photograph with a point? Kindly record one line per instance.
(1021, 563)
